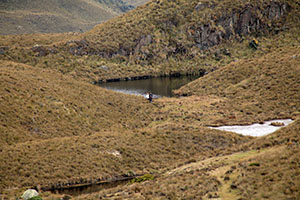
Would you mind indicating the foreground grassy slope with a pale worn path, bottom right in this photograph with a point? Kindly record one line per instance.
(265, 168)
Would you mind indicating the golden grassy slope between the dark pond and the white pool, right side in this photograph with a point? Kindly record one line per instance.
(261, 88)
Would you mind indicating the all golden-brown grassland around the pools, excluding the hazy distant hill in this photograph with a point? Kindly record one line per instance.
(58, 129)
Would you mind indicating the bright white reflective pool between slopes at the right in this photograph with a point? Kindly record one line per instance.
(256, 129)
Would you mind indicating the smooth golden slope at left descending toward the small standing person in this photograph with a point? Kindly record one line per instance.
(38, 104)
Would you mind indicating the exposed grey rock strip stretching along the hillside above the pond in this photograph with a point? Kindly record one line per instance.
(236, 24)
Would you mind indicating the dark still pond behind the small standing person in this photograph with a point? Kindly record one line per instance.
(159, 87)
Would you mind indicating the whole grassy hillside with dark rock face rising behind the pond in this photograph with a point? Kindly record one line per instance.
(163, 38)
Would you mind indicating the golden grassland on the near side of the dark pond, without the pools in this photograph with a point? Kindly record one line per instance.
(88, 135)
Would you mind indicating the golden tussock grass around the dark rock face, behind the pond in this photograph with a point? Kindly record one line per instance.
(168, 24)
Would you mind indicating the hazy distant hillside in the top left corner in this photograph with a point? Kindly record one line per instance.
(19, 17)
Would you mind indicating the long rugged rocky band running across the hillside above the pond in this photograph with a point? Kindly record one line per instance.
(250, 19)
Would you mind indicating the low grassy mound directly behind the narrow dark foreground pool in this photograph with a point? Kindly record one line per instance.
(81, 159)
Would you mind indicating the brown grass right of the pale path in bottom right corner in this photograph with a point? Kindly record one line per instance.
(271, 176)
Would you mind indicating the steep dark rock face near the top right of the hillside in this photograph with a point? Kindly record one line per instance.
(250, 20)
